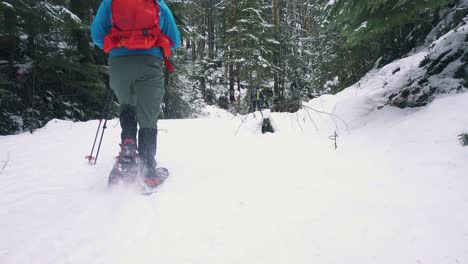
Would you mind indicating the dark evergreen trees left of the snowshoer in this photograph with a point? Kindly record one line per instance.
(45, 74)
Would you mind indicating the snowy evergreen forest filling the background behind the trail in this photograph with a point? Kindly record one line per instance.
(293, 50)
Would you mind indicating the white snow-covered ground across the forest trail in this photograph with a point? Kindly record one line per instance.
(393, 192)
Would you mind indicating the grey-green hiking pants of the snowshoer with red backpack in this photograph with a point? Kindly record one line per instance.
(138, 82)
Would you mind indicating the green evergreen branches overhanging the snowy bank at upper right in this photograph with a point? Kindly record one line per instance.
(369, 31)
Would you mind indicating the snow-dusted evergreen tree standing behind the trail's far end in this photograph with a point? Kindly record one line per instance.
(249, 40)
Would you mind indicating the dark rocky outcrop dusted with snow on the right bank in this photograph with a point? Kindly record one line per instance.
(444, 68)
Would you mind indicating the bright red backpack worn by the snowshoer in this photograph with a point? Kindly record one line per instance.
(135, 25)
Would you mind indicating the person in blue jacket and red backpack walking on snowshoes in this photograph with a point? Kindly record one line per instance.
(139, 36)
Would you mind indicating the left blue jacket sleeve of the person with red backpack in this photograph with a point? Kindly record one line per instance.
(102, 23)
